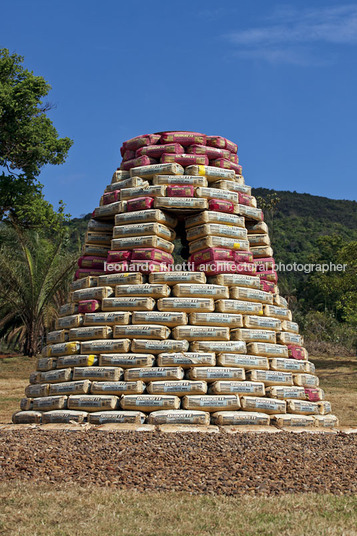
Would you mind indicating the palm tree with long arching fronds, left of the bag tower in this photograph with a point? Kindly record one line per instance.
(34, 280)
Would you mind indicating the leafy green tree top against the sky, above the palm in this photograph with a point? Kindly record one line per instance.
(28, 141)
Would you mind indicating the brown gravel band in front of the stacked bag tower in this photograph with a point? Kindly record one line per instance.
(193, 462)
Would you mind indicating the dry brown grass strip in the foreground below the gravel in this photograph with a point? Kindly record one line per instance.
(72, 511)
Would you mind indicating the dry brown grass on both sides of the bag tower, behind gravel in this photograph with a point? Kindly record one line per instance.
(338, 378)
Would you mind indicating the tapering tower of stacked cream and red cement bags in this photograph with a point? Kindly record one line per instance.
(142, 341)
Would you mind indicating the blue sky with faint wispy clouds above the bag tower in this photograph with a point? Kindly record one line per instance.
(280, 79)
